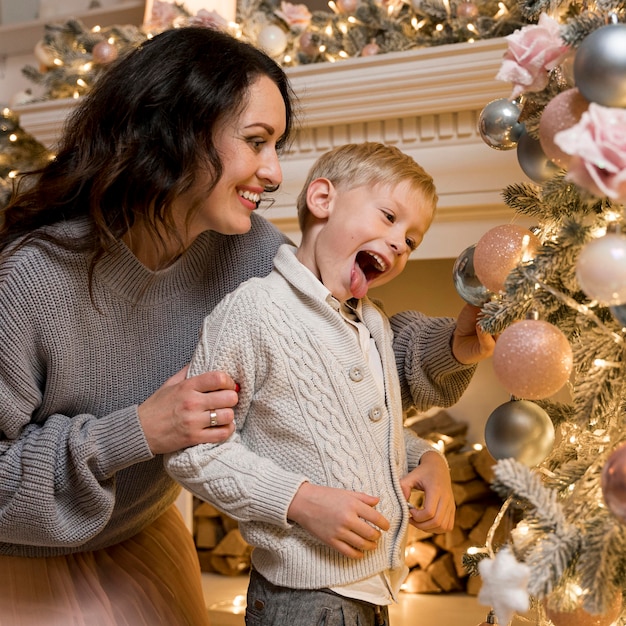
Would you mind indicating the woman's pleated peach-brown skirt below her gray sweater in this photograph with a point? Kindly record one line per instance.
(152, 579)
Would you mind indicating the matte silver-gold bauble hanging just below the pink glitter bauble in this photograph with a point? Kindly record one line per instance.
(521, 430)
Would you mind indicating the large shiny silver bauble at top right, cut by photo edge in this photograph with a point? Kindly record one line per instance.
(600, 66)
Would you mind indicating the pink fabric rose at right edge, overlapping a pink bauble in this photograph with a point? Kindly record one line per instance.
(597, 144)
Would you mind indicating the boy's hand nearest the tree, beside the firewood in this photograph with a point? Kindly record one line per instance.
(431, 476)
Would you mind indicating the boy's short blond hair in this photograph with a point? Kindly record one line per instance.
(369, 163)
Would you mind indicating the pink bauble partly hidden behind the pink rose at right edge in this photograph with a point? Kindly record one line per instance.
(562, 112)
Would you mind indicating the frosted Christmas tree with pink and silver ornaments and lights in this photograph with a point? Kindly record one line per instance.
(555, 295)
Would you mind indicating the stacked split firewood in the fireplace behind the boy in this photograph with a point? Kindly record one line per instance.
(435, 561)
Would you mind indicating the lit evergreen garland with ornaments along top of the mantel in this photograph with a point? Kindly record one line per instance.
(71, 56)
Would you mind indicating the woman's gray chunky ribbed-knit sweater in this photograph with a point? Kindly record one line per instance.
(75, 469)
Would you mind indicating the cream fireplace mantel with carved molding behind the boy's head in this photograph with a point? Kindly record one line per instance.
(426, 101)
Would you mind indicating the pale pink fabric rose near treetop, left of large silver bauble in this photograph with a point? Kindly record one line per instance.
(533, 51)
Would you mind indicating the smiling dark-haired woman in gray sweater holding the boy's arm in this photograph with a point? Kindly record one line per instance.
(109, 261)
